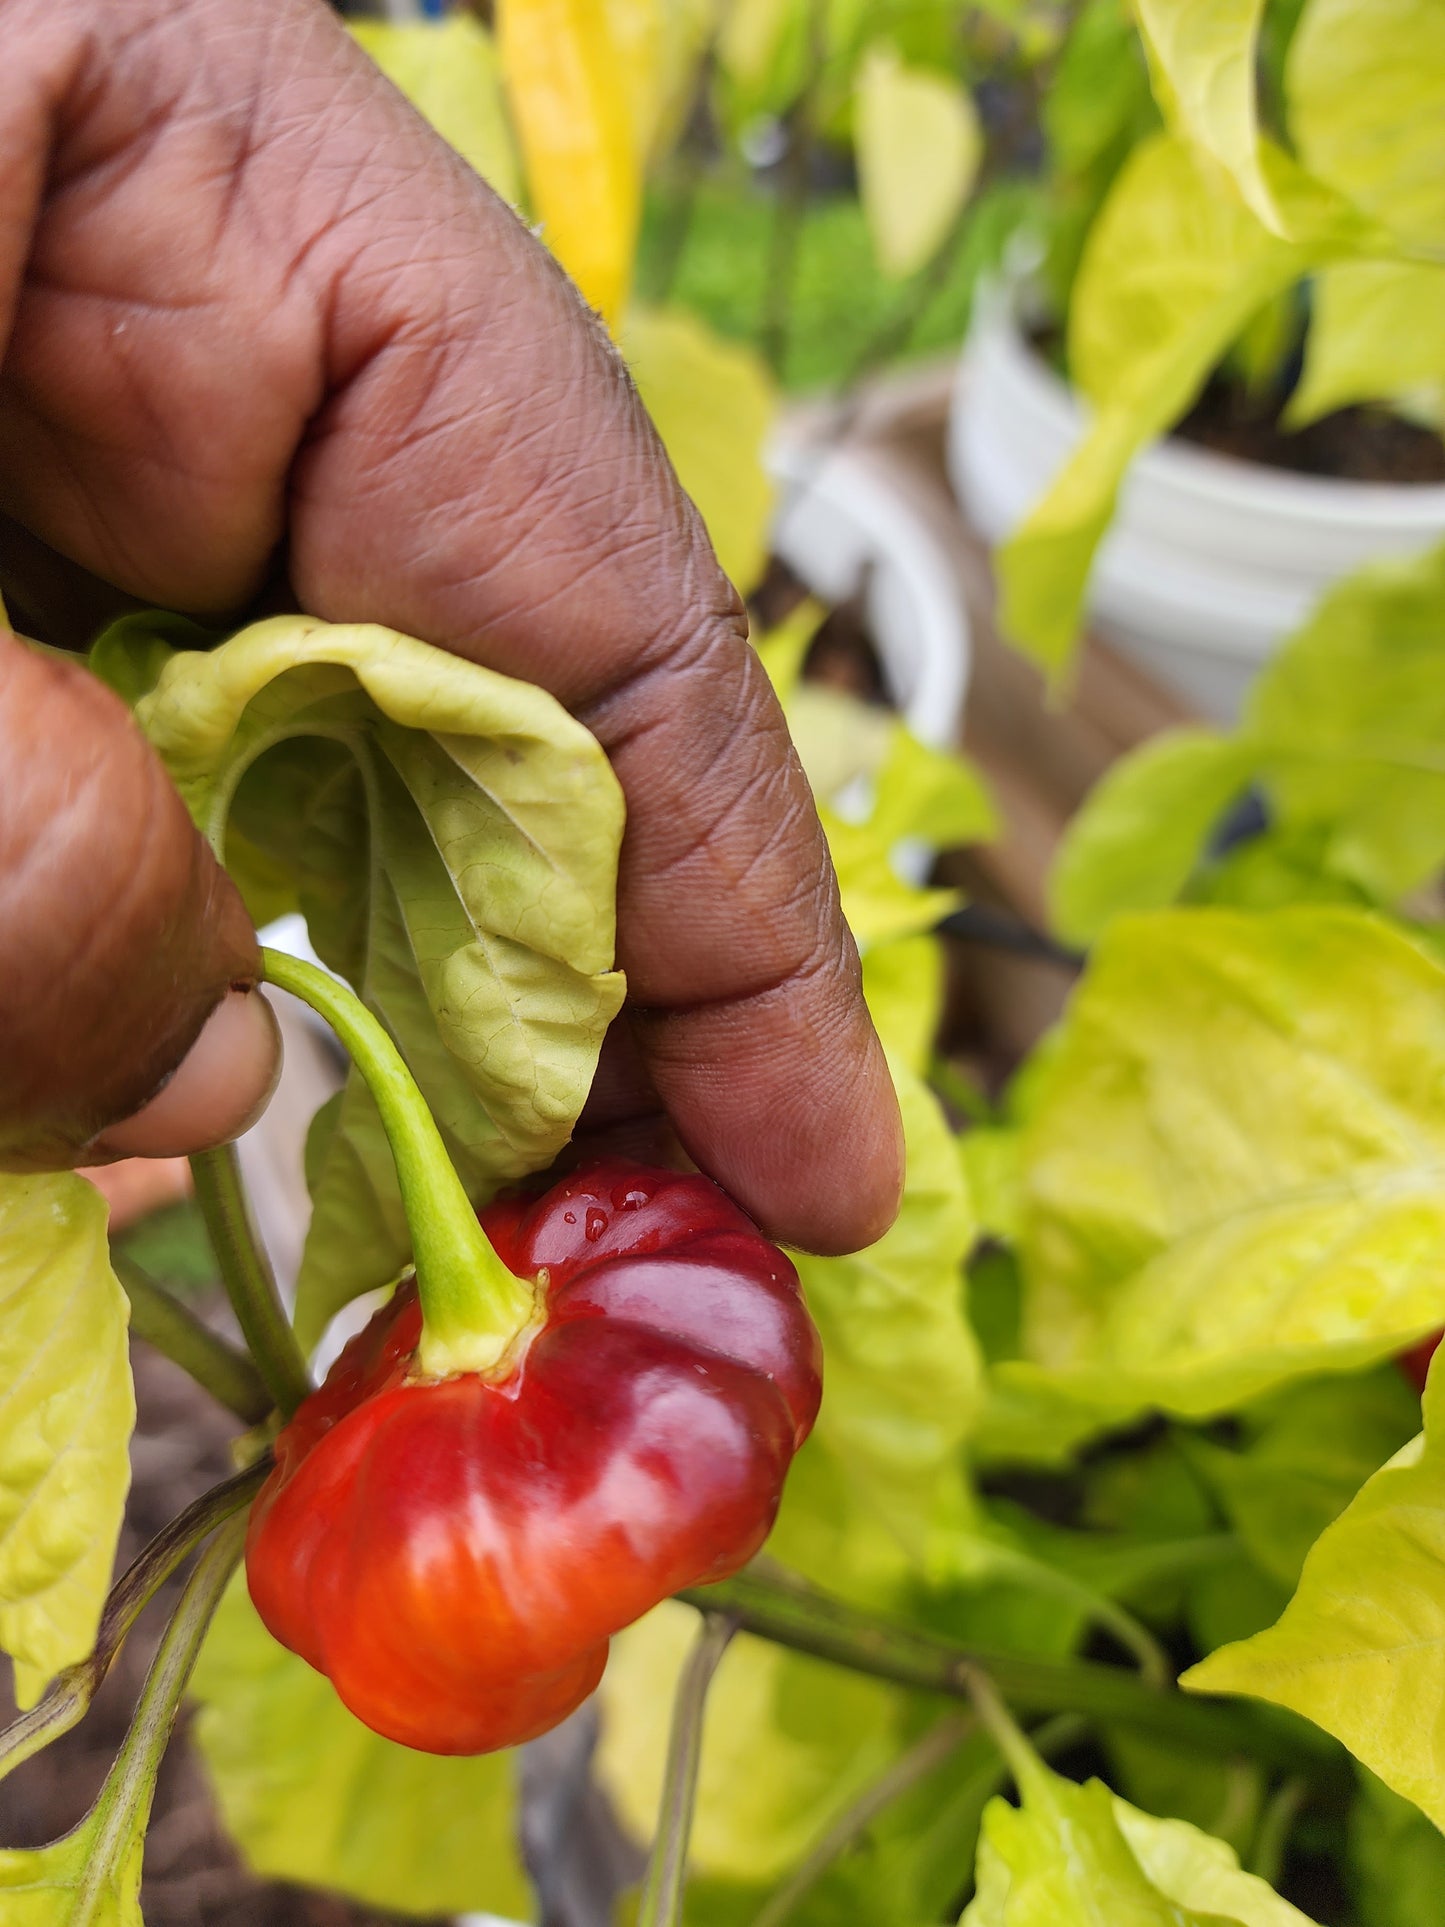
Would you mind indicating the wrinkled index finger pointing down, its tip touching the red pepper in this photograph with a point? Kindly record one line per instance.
(498, 488)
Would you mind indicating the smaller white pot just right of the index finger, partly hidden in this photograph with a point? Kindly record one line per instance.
(843, 525)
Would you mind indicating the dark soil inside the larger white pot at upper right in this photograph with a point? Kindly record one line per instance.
(1350, 446)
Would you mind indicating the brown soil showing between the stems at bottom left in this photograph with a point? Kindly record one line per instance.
(192, 1872)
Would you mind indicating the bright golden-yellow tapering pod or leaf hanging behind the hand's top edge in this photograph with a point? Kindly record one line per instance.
(579, 144)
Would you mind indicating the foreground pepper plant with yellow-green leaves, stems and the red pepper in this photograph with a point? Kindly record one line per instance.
(1107, 1585)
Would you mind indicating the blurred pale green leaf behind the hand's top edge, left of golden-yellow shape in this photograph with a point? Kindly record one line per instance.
(450, 72)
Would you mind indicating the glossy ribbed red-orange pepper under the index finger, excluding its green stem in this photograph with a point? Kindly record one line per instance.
(454, 1554)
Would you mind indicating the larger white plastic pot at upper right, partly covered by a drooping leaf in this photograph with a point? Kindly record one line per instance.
(1211, 562)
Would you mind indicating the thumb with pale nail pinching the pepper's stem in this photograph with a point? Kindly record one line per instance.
(128, 964)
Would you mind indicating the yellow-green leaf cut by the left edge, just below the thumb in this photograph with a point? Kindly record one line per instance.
(66, 1417)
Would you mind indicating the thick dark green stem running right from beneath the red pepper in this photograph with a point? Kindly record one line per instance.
(781, 1608)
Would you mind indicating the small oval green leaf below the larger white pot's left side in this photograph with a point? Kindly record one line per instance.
(1143, 828)
